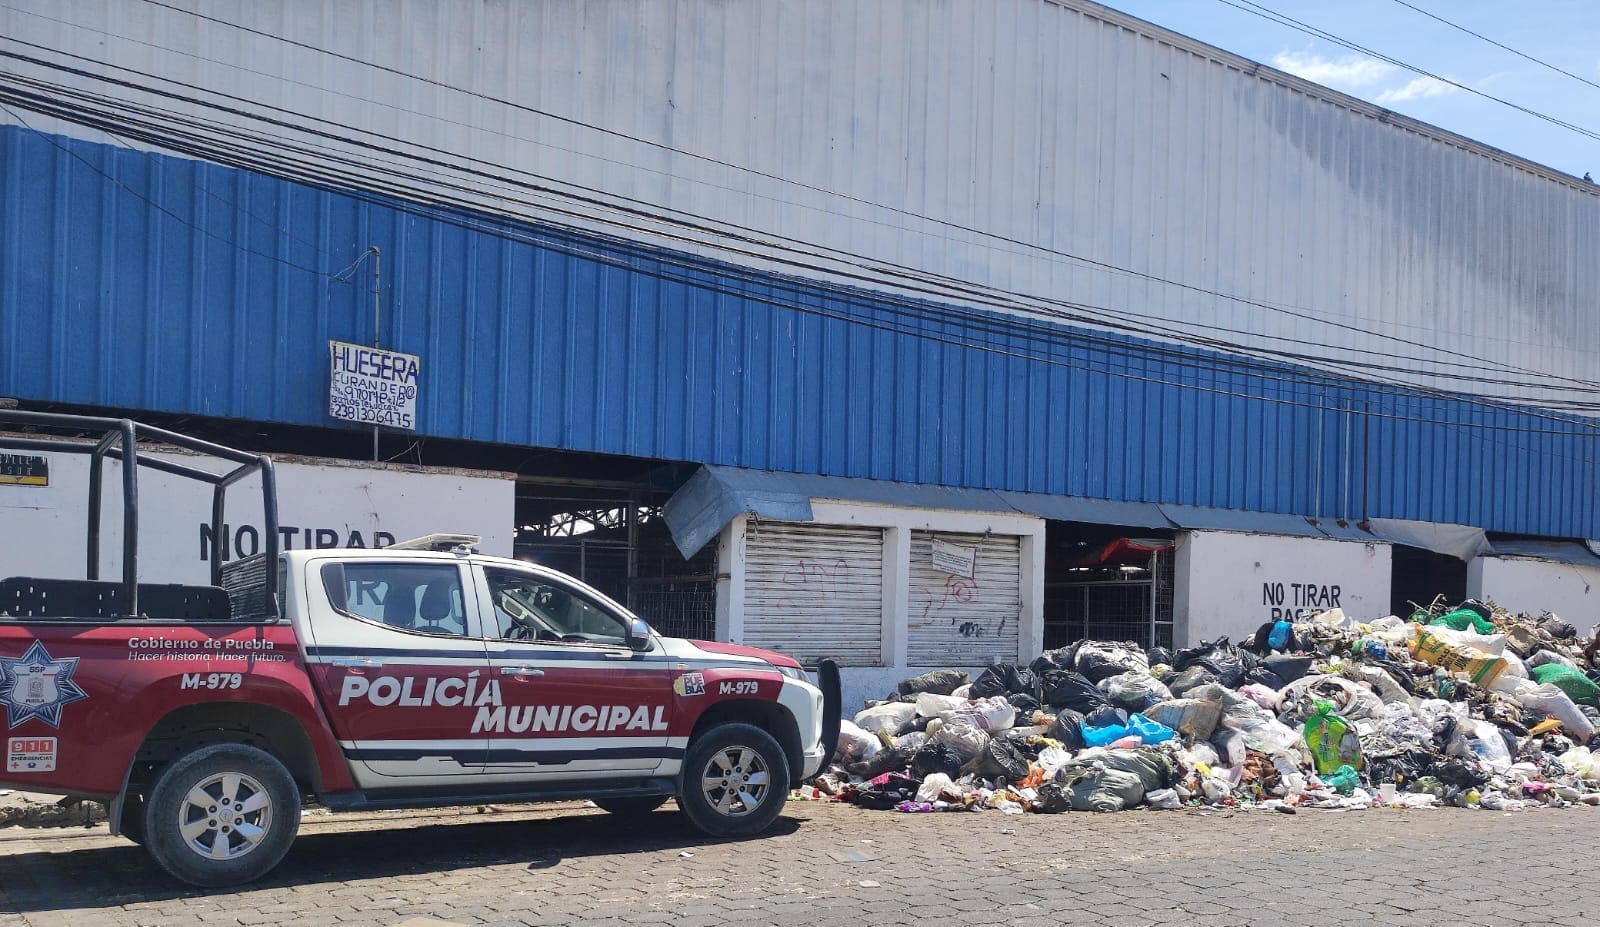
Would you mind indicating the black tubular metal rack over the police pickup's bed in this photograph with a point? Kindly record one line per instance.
(121, 441)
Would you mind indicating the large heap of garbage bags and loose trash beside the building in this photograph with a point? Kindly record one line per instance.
(1466, 707)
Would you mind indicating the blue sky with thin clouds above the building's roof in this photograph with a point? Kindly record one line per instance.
(1561, 33)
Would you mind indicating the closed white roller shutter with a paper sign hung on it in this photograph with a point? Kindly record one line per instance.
(966, 620)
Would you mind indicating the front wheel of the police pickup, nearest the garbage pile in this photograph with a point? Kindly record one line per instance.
(735, 782)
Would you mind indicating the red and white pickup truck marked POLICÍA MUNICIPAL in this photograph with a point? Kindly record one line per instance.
(417, 675)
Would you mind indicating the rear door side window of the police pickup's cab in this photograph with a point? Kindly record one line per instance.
(407, 596)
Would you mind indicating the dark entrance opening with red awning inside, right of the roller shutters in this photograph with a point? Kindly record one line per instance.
(1108, 584)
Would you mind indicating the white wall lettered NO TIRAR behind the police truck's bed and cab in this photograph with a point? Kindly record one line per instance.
(329, 504)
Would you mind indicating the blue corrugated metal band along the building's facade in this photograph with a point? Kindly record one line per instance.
(166, 284)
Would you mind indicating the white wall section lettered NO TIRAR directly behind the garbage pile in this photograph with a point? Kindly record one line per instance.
(1230, 584)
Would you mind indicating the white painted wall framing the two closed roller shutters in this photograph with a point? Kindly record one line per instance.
(862, 683)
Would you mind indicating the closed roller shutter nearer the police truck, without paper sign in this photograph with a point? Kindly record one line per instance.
(815, 592)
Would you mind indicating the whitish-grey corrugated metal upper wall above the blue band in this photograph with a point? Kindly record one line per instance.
(1033, 130)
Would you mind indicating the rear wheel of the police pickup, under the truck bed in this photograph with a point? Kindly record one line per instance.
(222, 816)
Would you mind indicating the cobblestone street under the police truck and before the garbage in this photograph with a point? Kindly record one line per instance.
(839, 865)
